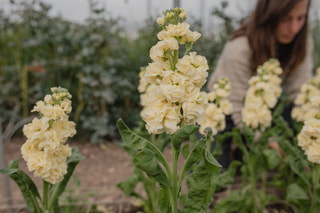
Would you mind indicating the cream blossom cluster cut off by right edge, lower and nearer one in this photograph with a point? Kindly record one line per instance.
(309, 136)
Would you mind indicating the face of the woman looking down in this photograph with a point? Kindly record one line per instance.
(292, 23)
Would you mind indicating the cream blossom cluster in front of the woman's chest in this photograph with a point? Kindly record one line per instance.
(262, 95)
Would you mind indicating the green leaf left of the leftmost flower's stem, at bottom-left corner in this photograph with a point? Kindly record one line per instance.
(26, 185)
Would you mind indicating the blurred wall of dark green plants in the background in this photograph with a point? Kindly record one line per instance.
(98, 61)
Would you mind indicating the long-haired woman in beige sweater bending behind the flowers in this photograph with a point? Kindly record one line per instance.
(275, 29)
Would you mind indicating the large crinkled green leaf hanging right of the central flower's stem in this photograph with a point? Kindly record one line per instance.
(201, 185)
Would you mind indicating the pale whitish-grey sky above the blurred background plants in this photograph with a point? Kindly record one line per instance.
(134, 12)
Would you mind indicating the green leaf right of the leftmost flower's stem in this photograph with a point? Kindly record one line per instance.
(59, 188)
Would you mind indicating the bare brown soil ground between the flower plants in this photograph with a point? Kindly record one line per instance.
(103, 167)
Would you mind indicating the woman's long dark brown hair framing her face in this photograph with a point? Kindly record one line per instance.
(260, 31)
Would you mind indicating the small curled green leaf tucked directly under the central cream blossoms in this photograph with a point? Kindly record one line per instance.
(182, 134)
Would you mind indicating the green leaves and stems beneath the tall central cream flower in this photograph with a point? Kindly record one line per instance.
(164, 182)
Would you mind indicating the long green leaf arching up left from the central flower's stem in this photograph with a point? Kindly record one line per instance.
(136, 142)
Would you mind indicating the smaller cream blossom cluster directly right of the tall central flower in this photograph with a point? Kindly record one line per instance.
(219, 106)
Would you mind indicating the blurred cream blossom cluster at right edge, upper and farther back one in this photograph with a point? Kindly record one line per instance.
(303, 106)
